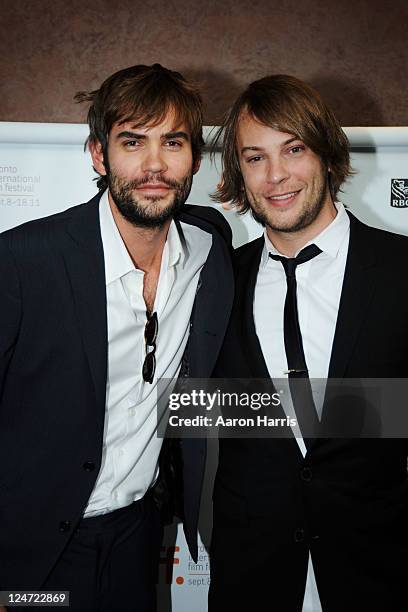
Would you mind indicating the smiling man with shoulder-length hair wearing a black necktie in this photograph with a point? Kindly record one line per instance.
(308, 523)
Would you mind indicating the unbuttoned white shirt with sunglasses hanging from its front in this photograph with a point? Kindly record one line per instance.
(131, 446)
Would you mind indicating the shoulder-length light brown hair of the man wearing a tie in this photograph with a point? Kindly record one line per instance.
(287, 104)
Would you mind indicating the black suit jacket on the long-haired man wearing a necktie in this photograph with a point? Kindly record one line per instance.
(347, 500)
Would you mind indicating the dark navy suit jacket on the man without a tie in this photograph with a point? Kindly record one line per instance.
(53, 368)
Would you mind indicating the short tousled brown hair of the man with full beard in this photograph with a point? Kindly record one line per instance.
(144, 94)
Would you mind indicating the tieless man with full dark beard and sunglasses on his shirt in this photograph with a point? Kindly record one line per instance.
(97, 304)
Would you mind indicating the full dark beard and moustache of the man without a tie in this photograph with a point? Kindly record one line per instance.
(151, 214)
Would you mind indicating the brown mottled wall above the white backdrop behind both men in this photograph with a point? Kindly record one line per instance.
(354, 51)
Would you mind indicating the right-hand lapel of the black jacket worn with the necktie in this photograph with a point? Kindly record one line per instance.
(357, 292)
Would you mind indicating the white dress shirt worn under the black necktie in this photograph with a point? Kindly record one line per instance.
(319, 284)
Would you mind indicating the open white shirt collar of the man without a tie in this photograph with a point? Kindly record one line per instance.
(117, 259)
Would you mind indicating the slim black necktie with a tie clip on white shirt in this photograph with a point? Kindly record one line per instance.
(297, 369)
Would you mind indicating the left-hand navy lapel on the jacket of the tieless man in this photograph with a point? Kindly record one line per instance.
(84, 260)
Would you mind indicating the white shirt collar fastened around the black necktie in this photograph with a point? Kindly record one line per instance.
(329, 240)
